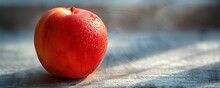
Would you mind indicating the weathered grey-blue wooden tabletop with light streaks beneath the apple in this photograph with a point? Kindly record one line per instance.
(177, 59)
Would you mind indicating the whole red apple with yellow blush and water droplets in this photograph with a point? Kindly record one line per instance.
(70, 43)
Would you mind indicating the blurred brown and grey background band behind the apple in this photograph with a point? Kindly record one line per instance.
(120, 15)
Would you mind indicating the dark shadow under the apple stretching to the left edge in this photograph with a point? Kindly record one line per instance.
(35, 77)
